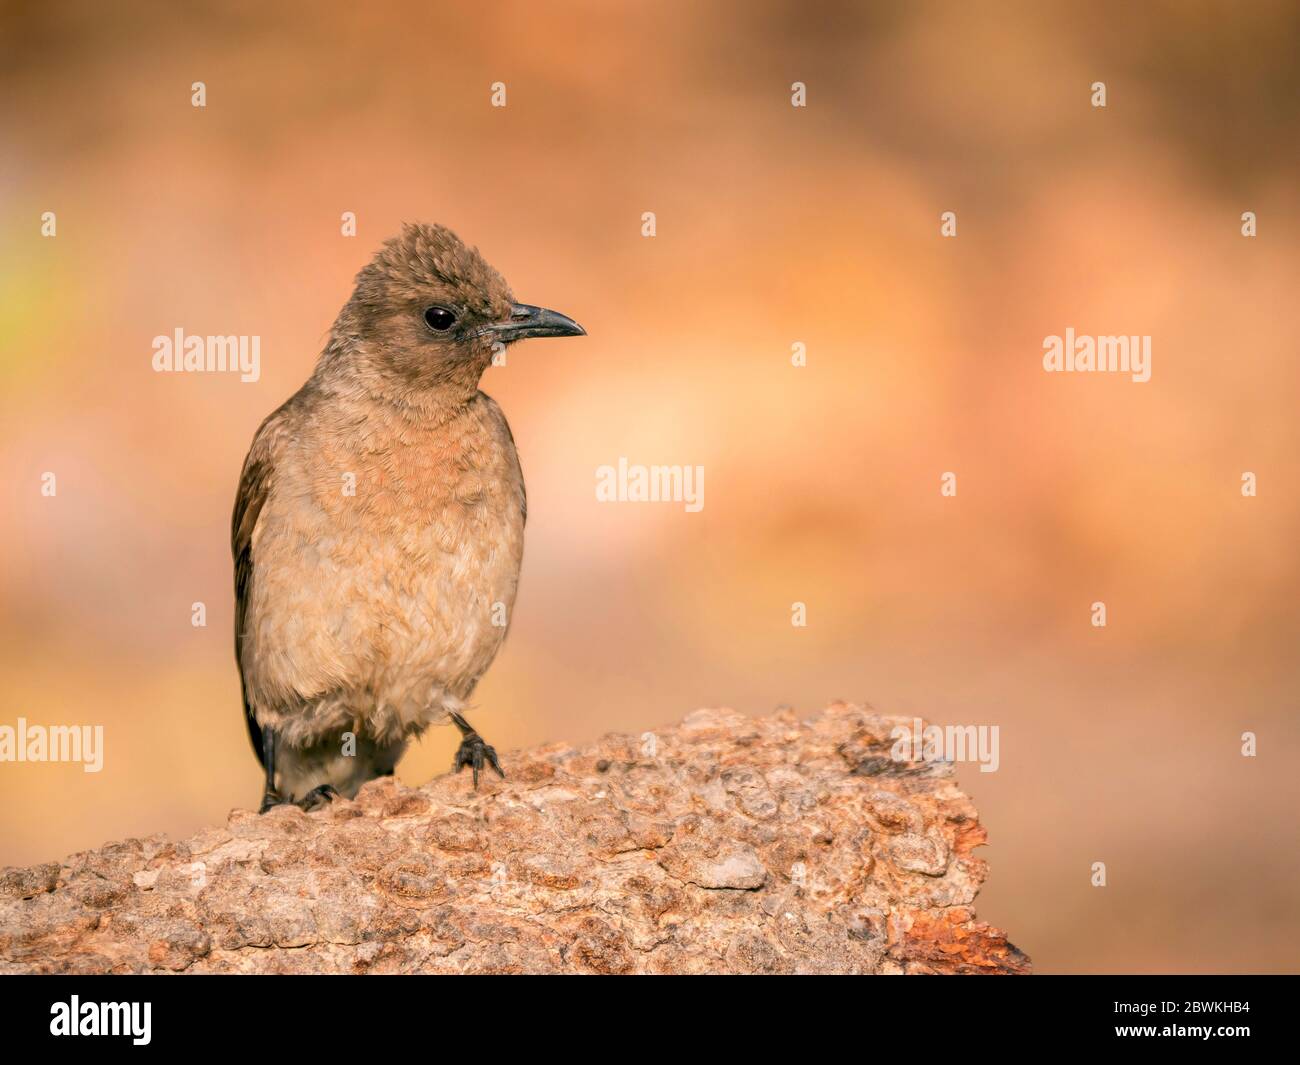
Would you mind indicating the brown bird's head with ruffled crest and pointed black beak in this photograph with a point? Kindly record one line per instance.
(430, 310)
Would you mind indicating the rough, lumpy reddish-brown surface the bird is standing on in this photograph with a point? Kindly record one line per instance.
(727, 845)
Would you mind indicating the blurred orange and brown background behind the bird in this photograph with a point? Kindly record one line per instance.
(775, 226)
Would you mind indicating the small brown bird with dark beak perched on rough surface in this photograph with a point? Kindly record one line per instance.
(379, 526)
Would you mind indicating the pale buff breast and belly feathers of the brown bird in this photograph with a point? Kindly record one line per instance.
(385, 566)
